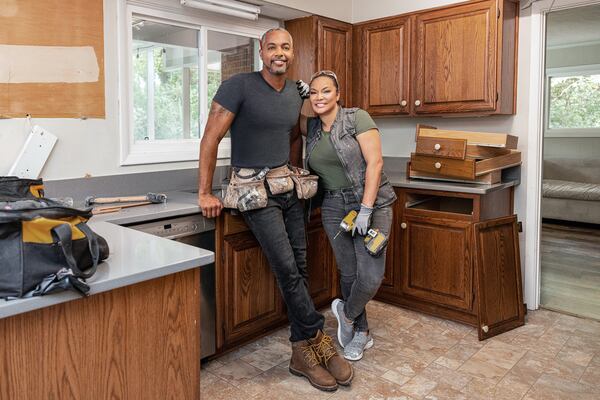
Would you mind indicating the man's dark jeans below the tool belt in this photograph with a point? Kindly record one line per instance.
(280, 230)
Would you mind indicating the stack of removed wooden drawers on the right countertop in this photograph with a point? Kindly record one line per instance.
(462, 156)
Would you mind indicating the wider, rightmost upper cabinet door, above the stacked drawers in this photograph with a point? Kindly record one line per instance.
(455, 59)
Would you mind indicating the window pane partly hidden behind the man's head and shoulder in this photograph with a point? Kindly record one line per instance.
(229, 55)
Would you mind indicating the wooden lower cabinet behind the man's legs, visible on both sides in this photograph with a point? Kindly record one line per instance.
(249, 303)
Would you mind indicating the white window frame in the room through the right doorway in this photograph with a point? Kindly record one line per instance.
(592, 69)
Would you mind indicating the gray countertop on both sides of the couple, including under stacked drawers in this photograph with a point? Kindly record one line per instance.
(136, 256)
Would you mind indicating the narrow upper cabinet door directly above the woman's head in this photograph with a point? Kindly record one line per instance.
(334, 53)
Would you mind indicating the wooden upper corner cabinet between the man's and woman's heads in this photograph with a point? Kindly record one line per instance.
(322, 43)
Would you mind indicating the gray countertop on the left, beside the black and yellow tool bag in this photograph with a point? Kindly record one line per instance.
(134, 257)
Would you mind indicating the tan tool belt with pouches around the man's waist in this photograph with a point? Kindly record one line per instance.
(247, 191)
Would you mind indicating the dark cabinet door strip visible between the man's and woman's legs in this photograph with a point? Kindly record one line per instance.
(322, 279)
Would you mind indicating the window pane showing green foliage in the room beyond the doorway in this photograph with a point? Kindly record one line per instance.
(574, 102)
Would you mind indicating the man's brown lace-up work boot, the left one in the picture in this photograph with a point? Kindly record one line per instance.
(305, 363)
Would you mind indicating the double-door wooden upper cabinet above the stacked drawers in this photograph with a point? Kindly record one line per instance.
(460, 59)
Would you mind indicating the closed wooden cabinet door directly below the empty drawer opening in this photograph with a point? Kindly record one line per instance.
(437, 261)
